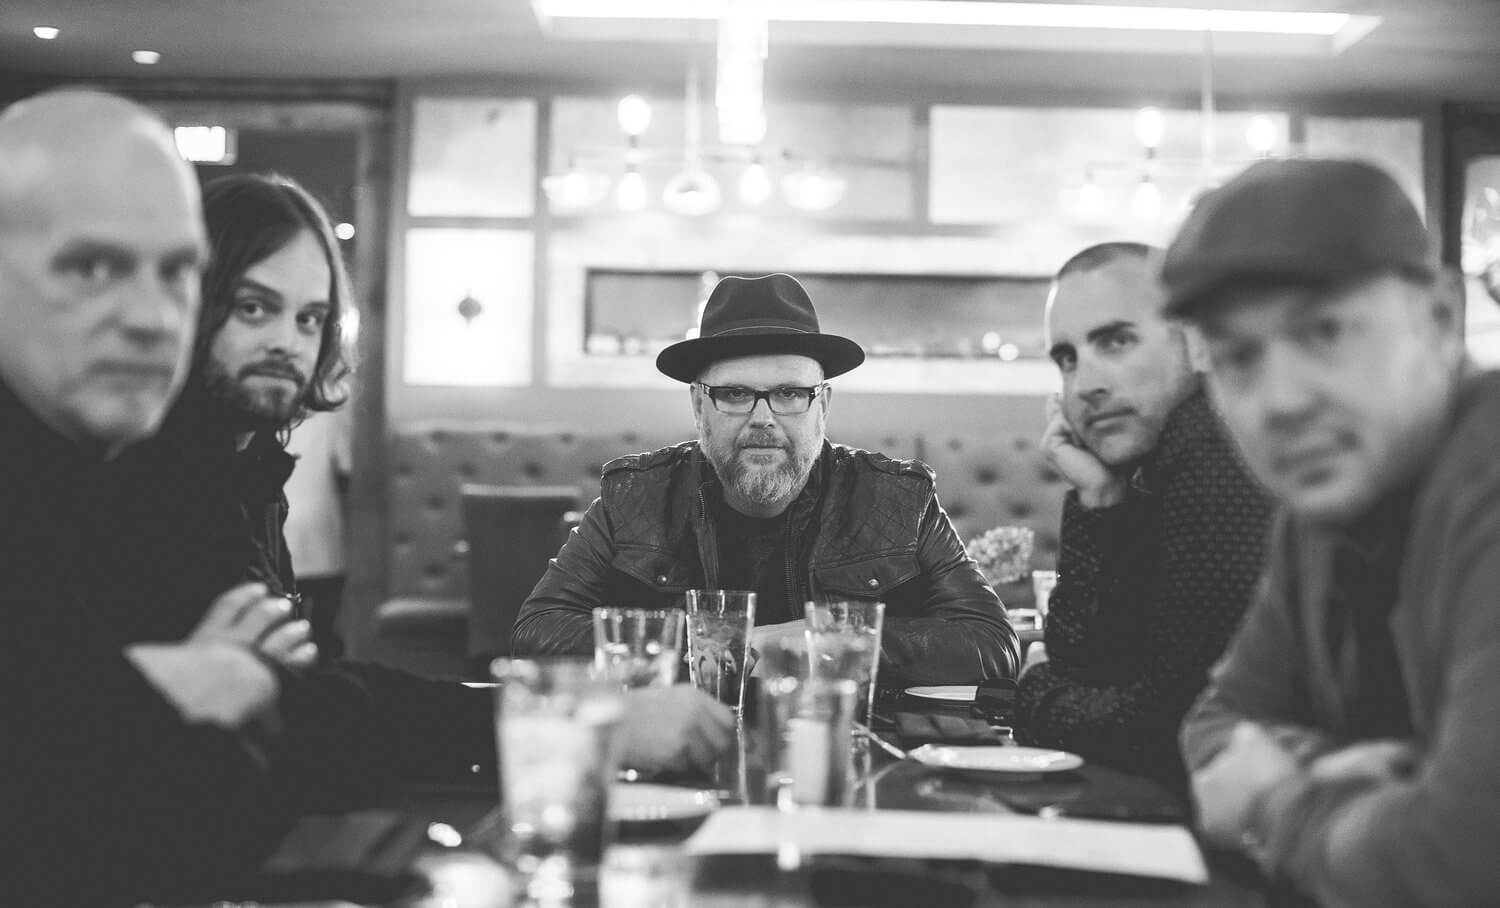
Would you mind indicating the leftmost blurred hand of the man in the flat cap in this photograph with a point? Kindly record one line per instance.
(1228, 789)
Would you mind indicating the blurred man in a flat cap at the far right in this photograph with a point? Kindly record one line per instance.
(1349, 738)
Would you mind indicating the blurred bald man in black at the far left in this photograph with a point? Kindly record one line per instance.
(134, 765)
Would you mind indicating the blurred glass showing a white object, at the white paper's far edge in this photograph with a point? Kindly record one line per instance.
(808, 724)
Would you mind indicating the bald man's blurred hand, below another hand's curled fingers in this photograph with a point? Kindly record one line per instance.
(211, 682)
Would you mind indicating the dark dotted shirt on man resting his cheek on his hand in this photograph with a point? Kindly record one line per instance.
(1148, 595)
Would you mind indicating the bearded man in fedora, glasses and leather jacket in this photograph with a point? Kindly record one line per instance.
(763, 502)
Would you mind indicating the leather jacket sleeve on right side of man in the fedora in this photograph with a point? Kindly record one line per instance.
(962, 634)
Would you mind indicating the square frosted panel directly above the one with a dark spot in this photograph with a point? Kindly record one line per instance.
(473, 157)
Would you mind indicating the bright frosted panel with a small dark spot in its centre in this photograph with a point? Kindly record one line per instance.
(469, 307)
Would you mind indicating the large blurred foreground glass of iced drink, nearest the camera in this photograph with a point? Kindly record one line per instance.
(556, 730)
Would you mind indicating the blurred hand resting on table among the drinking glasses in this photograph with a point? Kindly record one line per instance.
(674, 729)
